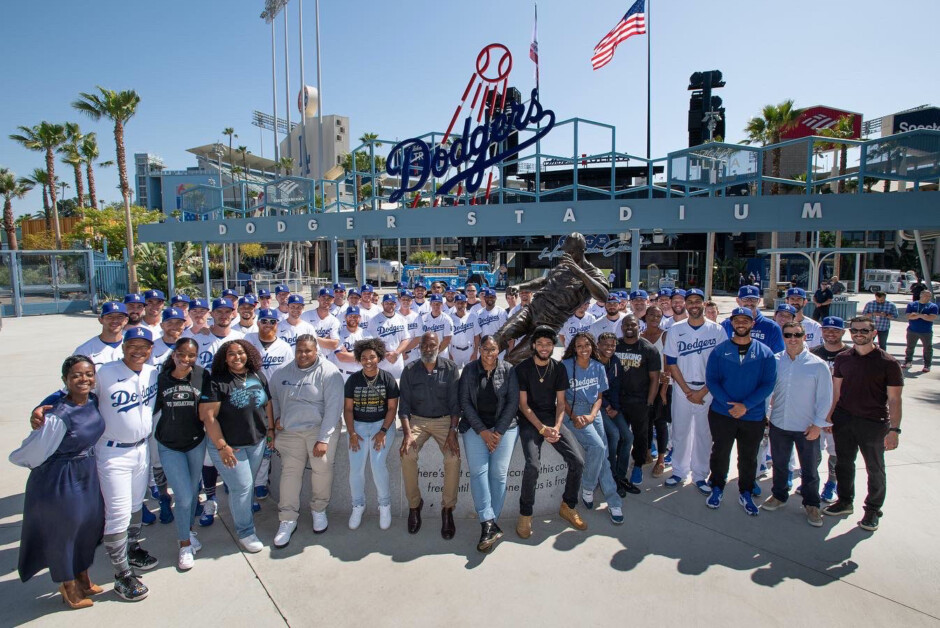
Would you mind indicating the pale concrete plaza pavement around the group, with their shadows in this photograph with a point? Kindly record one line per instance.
(675, 562)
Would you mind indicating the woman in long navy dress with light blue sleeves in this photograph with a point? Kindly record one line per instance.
(63, 512)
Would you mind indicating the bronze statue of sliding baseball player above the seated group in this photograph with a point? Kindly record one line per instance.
(556, 296)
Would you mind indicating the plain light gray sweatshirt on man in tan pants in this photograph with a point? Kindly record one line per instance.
(308, 398)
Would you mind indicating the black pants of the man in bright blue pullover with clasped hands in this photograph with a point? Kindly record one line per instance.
(726, 431)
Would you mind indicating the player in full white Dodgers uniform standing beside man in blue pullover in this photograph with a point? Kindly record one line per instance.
(688, 345)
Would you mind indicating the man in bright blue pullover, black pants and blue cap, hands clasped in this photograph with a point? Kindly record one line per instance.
(740, 374)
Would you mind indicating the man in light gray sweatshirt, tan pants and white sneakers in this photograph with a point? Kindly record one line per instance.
(307, 395)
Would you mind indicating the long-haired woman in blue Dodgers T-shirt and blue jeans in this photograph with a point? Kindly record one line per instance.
(587, 382)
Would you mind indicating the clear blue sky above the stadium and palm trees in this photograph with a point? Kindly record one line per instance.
(398, 68)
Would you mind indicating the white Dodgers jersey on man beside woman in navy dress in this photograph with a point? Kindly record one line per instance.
(126, 400)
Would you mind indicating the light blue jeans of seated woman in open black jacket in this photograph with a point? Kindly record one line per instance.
(488, 471)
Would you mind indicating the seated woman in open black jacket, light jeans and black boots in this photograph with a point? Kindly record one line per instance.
(489, 398)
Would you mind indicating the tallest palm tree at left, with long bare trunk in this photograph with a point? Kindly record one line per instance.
(119, 107)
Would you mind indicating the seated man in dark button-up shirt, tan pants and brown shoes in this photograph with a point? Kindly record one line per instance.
(429, 408)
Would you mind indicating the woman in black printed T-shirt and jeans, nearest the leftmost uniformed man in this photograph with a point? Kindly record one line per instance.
(180, 437)
